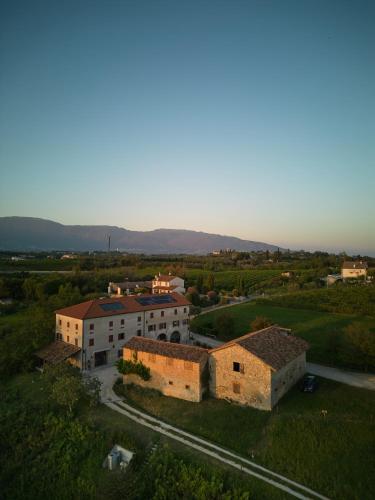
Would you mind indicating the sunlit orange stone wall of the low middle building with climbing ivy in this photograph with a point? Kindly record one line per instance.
(174, 377)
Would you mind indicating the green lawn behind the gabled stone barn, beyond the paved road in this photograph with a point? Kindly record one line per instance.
(316, 327)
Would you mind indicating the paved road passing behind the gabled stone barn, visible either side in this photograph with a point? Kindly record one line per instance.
(355, 379)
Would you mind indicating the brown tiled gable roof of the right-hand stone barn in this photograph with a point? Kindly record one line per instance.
(274, 345)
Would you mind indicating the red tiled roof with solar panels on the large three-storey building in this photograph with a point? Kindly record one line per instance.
(130, 304)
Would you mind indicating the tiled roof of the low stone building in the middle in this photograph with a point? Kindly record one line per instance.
(167, 349)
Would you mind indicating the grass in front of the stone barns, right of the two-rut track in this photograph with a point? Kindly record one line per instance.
(333, 454)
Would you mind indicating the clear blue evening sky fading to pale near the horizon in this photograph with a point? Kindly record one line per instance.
(249, 118)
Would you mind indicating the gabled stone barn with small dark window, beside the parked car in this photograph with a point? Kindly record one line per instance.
(258, 368)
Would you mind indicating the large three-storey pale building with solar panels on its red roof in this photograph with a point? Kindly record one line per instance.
(93, 333)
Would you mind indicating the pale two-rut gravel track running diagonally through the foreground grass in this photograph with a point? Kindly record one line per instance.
(108, 375)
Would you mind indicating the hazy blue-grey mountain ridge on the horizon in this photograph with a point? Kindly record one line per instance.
(28, 233)
